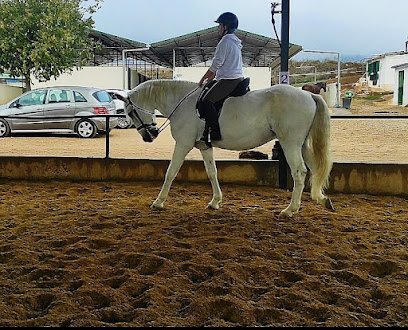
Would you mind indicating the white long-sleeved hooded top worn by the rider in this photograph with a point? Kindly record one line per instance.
(227, 61)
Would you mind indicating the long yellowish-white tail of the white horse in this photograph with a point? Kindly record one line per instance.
(318, 141)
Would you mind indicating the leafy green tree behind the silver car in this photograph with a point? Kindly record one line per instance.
(44, 37)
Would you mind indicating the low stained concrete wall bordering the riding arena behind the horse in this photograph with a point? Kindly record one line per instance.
(356, 178)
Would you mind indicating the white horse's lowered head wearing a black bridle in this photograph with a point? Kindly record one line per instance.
(142, 116)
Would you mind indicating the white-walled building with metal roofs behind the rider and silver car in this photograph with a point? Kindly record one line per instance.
(123, 63)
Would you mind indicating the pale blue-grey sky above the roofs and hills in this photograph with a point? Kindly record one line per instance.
(350, 27)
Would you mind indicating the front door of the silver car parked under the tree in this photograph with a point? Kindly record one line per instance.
(30, 108)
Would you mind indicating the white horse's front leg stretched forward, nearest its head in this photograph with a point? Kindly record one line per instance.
(179, 154)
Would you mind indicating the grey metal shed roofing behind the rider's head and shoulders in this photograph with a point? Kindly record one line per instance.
(195, 48)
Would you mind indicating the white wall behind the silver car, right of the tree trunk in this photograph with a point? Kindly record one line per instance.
(91, 76)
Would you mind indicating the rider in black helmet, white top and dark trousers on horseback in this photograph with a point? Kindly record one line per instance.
(226, 70)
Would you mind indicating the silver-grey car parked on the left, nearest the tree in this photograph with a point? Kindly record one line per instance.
(35, 106)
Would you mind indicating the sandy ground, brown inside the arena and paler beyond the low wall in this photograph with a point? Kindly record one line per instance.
(95, 254)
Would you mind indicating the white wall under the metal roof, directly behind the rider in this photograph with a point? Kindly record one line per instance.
(260, 76)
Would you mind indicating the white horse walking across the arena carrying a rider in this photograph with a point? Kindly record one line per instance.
(299, 119)
